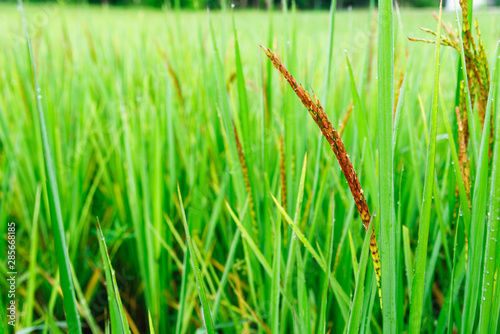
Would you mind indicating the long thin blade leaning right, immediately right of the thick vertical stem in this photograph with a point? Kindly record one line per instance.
(417, 295)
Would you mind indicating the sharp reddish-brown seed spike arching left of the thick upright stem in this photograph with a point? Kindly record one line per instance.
(332, 136)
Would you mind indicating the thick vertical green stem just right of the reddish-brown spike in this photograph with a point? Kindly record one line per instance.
(387, 238)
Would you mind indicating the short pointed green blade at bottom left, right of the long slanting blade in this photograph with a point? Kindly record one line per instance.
(117, 316)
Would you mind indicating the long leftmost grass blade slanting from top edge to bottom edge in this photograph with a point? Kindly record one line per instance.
(69, 299)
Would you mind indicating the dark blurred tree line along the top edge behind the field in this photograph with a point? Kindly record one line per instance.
(260, 4)
